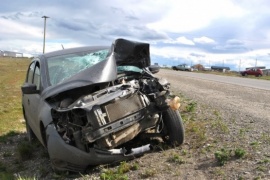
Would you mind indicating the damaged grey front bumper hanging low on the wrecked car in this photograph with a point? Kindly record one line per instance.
(70, 158)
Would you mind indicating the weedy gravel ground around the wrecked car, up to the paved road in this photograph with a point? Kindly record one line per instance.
(226, 117)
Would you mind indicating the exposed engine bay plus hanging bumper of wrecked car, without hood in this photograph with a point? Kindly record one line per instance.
(91, 130)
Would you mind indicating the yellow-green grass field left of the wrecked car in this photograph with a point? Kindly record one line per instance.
(13, 72)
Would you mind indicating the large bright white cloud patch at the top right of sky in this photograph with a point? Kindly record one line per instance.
(184, 16)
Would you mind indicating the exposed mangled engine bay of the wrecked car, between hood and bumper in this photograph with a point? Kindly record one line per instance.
(110, 116)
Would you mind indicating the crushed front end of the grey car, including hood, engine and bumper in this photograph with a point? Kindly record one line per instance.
(96, 113)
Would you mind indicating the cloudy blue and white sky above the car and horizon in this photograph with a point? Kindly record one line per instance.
(231, 33)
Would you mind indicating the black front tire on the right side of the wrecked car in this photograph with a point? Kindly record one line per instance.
(173, 127)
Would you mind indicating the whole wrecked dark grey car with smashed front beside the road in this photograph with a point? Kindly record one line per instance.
(87, 104)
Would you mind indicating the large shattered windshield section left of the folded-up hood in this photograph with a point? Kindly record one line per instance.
(64, 66)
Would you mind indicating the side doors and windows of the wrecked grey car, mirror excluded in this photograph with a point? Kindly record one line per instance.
(31, 102)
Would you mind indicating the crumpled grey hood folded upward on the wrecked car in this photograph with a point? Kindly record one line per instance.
(123, 52)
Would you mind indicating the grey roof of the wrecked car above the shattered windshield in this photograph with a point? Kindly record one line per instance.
(74, 50)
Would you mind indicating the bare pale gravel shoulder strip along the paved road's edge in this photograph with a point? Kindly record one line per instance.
(243, 103)
